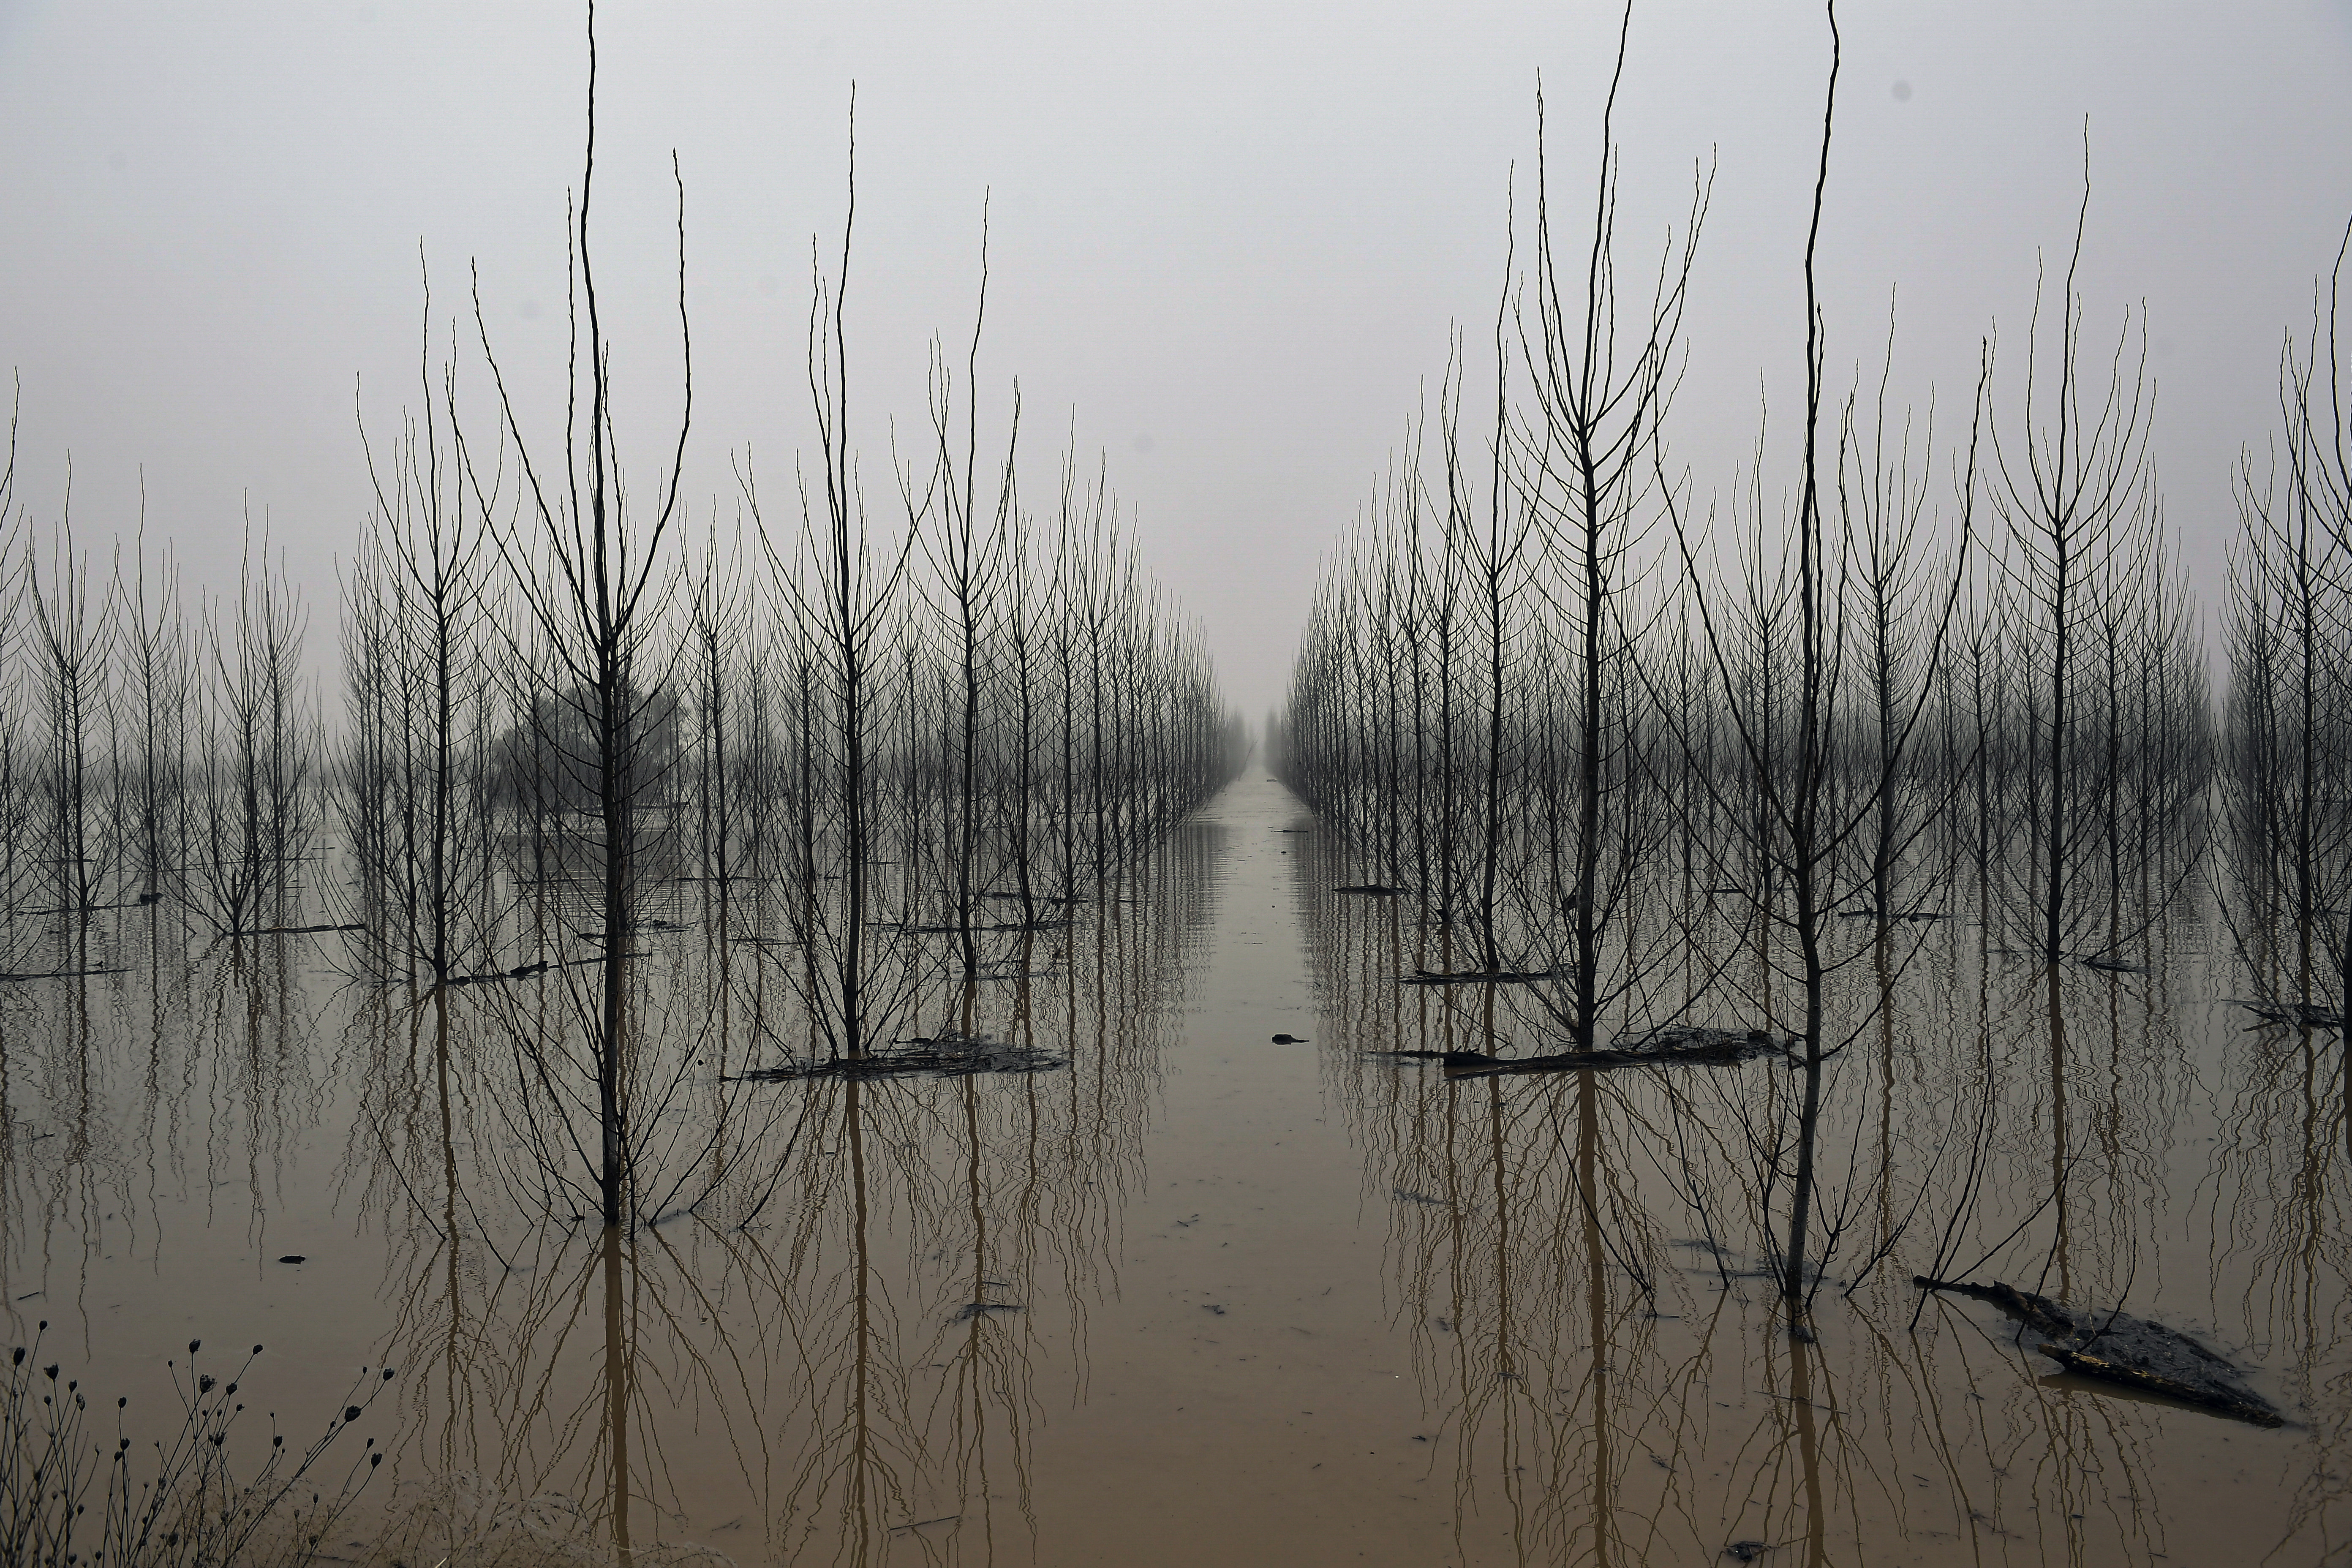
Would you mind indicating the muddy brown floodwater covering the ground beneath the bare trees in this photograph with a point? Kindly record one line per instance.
(1191, 1296)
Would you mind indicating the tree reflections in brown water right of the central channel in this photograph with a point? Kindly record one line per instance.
(1586, 1271)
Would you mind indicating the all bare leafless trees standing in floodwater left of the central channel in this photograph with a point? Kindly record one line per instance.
(871, 746)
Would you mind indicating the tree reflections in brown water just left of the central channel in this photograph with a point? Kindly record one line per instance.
(838, 1355)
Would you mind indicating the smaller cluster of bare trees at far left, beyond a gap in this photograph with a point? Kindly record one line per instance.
(156, 749)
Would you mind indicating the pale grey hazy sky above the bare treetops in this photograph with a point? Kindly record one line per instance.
(1231, 239)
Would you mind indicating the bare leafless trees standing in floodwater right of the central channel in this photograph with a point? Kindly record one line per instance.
(1582, 718)
